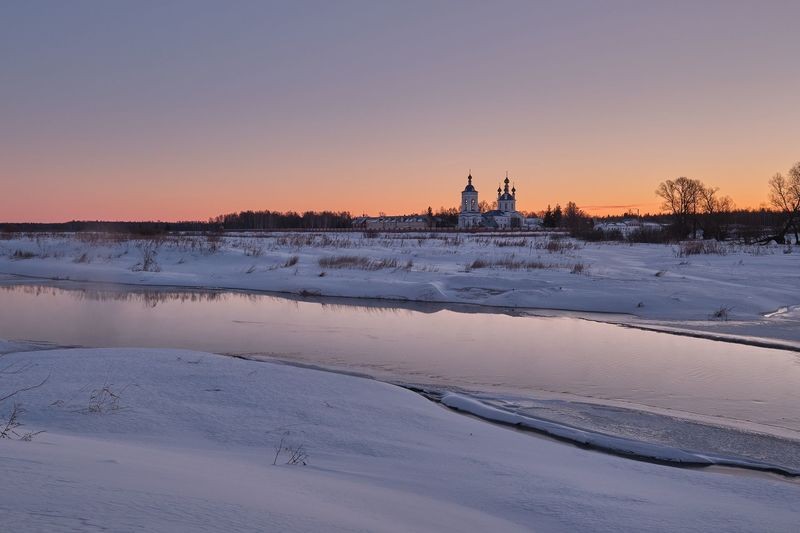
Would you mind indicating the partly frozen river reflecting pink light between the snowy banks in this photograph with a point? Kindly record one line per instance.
(686, 392)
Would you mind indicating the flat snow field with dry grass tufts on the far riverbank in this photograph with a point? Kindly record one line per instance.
(647, 284)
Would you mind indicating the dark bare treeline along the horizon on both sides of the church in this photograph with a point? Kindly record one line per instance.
(690, 208)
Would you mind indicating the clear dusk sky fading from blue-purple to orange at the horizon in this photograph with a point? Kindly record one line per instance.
(185, 110)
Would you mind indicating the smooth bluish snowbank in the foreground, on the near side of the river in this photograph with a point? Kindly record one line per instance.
(190, 444)
